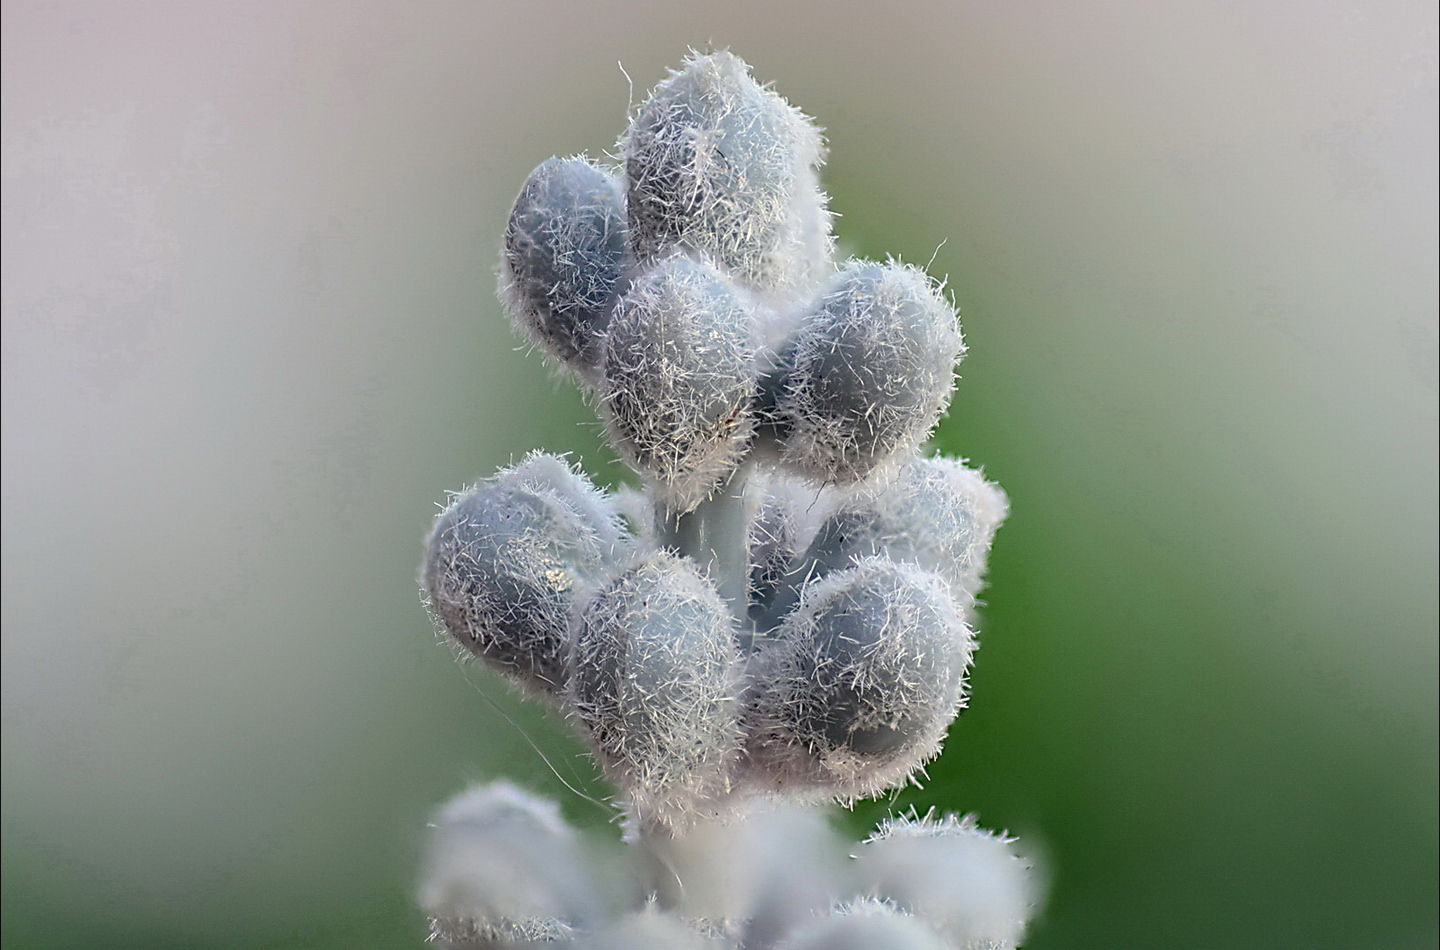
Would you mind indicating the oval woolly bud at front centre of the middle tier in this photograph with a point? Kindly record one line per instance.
(654, 687)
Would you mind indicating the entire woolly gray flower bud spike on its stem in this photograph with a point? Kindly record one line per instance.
(784, 614)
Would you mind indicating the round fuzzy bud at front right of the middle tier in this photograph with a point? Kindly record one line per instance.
(859, 686)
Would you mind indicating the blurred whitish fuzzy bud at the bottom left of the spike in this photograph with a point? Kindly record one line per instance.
(500, 867)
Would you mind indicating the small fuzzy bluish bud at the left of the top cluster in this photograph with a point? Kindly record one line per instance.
(565, 258)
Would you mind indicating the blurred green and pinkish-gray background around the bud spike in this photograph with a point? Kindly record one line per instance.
(251, 338)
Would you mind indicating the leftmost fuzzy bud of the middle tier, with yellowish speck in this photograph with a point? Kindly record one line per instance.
(503, 564)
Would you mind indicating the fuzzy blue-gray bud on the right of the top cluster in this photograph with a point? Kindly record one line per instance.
(869, 374)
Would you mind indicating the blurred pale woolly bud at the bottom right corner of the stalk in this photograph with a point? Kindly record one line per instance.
(964, 880)
